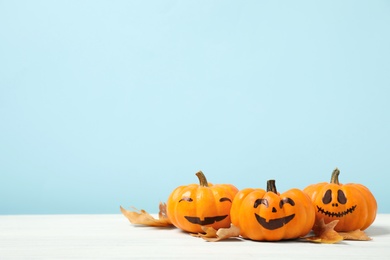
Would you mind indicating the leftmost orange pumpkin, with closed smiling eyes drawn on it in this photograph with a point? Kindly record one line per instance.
(191, 206)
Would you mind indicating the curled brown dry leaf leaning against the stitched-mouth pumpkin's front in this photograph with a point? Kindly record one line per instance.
(325, 233)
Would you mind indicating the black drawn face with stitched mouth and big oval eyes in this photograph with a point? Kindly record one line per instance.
(335, 204)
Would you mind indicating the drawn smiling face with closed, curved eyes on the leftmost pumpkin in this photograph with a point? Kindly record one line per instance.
(207, 220)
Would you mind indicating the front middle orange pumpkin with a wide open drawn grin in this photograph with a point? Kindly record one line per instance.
(266, 215)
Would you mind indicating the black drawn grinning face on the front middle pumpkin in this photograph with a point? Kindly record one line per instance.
(271, 208)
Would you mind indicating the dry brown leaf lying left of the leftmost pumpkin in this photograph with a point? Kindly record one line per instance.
(141, 217)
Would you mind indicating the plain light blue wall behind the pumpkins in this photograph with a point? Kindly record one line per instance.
(108, 103)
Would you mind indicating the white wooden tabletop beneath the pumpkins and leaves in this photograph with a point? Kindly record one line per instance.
(114, 237)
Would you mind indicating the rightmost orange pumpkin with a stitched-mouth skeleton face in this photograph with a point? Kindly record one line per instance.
(352, 204)
